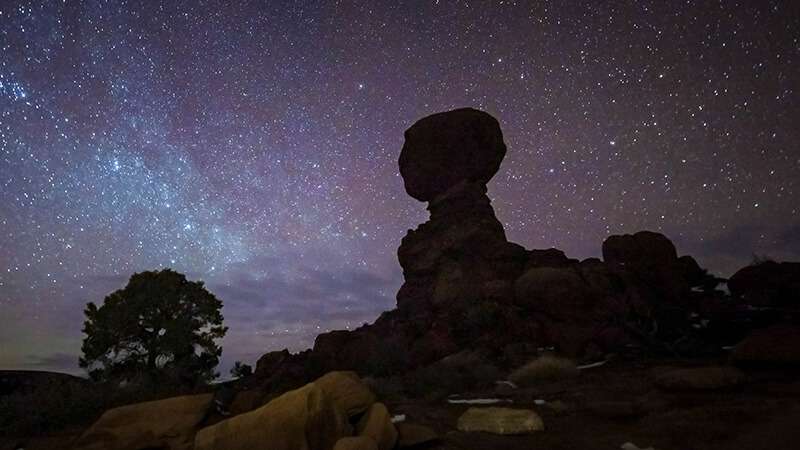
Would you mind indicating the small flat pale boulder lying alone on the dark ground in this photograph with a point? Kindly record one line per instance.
(500, 421)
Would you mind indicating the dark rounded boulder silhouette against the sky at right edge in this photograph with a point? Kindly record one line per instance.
(767, 284)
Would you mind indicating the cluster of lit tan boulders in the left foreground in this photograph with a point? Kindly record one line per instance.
(337, 411)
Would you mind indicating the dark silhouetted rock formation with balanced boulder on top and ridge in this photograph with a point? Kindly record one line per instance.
(467, 287)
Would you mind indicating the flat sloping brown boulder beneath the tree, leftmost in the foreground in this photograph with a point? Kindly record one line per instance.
(169, 423)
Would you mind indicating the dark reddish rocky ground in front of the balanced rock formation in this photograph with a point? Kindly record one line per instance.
(640, 402)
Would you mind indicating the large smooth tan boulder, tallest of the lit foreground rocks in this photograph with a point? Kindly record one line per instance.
(303, 419)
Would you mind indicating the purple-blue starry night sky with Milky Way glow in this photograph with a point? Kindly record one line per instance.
(255, 146)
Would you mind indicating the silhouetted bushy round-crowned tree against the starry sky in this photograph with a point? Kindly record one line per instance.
(160, 327)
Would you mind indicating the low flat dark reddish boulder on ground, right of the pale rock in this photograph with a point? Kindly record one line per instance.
(701, 378)
